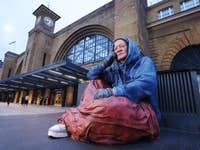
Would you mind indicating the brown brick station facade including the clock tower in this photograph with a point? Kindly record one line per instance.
(162, 31)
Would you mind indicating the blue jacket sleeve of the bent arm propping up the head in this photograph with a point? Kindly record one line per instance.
(99, 72)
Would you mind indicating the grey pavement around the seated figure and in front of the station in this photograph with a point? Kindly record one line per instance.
(25, 128)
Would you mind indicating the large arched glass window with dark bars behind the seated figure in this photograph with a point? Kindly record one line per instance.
(89, 49)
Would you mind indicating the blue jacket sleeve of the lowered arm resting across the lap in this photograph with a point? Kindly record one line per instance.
(144, 83)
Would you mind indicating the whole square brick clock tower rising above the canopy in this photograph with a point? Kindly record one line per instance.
(40, 39)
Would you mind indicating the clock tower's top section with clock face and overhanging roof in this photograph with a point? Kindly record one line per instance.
(45, 19)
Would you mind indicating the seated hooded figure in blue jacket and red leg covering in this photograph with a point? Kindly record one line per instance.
(119, 105)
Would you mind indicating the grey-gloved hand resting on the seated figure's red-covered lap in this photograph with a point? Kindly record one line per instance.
(103, 93)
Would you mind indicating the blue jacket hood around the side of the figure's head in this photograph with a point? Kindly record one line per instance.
(133, 51)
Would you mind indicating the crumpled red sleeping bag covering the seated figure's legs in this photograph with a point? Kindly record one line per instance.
(113, 120)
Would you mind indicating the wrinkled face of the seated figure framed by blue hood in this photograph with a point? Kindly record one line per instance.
(121, 49)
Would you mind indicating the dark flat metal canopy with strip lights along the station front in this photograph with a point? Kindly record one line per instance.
(51, 76)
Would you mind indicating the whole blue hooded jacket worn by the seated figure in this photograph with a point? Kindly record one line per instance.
(135, 78)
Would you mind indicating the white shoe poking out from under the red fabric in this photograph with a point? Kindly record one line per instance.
(57, 131)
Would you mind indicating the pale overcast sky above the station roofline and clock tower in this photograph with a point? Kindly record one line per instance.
(16, 19)
